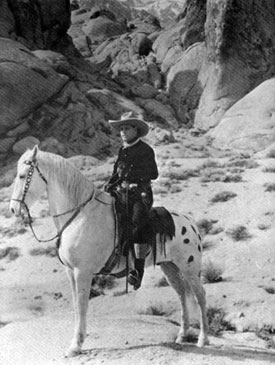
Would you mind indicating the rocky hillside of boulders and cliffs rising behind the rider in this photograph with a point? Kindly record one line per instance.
(68, 68)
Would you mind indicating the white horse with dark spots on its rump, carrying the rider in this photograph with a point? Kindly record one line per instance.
(86, 236)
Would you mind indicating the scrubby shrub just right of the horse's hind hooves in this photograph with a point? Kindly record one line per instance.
(217, 322)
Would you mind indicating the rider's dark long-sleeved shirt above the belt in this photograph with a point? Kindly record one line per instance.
(139, 164)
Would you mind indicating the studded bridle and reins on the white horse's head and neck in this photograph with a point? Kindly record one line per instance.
(34, 165)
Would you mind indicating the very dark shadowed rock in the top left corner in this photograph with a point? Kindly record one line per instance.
(37, 24)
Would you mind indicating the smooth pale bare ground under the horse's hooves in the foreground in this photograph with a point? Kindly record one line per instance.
(135, 340)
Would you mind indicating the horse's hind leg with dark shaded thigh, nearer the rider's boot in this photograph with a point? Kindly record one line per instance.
(175, 279)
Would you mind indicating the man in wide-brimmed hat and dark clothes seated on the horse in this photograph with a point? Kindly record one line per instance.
(133, 171)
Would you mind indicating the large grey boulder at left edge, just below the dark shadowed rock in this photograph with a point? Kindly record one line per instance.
(26, 83)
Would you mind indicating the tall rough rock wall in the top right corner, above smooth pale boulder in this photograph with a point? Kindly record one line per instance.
(240, 55)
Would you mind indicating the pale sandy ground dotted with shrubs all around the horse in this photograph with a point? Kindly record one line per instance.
(36, 317)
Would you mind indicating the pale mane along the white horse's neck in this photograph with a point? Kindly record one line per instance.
(71, 179)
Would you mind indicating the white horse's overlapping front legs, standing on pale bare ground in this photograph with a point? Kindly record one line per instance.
(83, 279)
